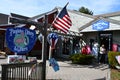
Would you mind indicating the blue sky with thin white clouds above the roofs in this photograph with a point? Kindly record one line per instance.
(31, 8)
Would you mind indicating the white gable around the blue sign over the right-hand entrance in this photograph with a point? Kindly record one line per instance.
(107, 17)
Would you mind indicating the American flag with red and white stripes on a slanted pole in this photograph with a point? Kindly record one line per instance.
(62, 22)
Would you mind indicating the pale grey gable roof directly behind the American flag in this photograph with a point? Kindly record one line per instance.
(76, 17)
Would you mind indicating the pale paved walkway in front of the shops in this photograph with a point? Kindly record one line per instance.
(70, 71)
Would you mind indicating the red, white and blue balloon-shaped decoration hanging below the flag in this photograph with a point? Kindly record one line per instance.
(52, 39)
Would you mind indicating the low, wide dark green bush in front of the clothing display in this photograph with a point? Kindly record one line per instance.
(81, 58)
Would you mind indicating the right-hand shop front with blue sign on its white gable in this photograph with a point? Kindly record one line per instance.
(105, 30)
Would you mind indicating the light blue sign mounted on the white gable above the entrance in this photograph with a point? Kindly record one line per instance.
(100, 25)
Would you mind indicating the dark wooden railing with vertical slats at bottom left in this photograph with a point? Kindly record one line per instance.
(20, 71)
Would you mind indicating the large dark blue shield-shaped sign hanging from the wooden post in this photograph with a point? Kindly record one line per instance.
(20, 40)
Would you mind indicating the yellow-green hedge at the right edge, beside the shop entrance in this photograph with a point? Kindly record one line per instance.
(111, 58)
